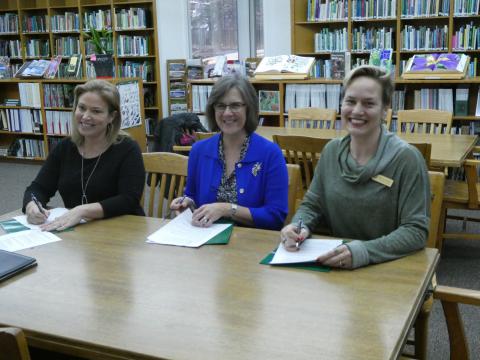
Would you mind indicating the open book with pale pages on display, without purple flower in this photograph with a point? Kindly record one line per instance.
(284, 67)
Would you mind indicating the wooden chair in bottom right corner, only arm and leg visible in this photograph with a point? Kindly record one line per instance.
(450, 297)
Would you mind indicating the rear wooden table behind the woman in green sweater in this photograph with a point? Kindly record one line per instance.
(447, 150)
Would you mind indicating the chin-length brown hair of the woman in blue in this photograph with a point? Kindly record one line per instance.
(249, 95)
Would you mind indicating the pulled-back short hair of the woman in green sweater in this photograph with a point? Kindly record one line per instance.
(373, 72)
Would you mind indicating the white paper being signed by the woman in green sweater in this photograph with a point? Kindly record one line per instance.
(309, 251)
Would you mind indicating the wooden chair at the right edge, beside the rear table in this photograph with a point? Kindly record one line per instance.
(462, 195)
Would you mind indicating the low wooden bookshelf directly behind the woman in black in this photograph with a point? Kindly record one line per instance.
(46, 118)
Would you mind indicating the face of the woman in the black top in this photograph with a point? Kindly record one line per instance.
(92, 116)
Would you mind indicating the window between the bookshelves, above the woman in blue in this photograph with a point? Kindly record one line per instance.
(222, 27)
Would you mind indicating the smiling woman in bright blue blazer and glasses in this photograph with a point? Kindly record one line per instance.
(236, 173)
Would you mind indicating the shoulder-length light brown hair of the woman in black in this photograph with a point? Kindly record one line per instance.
(109, 93)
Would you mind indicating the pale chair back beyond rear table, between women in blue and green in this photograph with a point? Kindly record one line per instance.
(315, 118)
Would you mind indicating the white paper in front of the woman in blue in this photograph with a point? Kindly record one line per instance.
(181, 232)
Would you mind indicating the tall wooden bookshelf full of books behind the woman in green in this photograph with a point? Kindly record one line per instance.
(408, 27)
